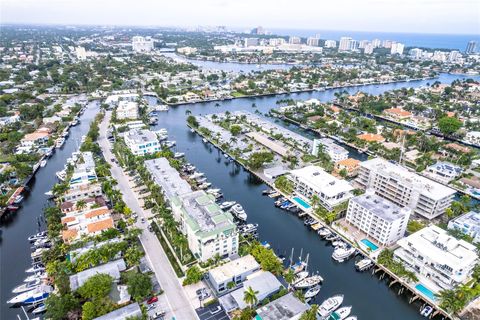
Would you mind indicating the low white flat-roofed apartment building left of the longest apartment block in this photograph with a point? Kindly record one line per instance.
(313, 180)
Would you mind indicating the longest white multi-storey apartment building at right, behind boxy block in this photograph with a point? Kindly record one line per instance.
(404, 188)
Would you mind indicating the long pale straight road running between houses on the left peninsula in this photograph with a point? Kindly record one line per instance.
(178, 303)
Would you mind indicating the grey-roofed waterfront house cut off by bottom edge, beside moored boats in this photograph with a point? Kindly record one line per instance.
(287, 307)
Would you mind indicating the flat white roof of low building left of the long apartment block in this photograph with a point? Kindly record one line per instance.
(316, 178)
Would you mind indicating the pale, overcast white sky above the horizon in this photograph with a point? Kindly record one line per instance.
(410, 16)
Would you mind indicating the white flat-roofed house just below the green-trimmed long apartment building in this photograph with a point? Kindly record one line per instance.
(234, 272)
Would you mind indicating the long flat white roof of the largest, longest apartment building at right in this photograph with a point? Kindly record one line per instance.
(427, 187)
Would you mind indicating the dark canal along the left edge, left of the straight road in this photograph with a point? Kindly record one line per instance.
(14, 246)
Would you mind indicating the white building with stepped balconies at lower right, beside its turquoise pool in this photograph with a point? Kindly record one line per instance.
(437, 257)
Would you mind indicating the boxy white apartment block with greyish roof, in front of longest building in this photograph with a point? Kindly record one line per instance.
(379, 218)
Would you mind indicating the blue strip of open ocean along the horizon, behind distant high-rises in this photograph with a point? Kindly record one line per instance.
(433, 41)
